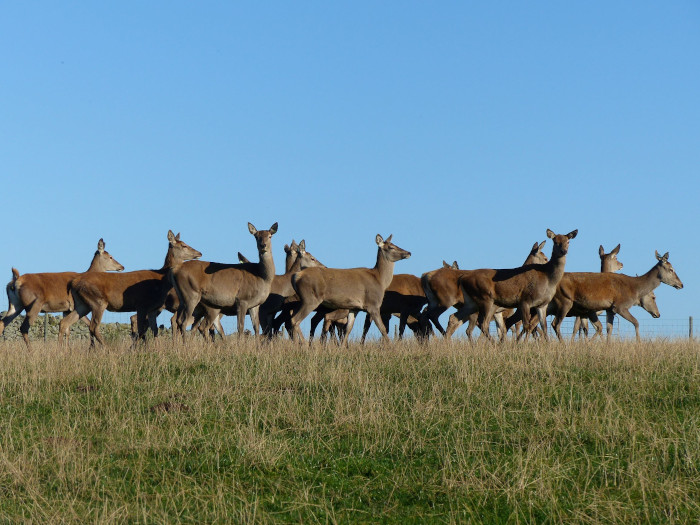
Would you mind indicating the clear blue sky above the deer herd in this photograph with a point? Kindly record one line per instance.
(465, 129)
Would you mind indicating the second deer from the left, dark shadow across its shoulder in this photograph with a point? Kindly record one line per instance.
(143, 291)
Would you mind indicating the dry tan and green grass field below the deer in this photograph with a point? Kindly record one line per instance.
(245, 433)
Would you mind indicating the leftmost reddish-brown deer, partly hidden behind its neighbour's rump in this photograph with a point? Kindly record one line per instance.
(48, 292)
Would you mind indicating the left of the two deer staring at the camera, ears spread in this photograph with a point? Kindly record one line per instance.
(218, 286)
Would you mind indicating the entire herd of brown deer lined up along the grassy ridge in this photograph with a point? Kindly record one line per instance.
(198, 293)
